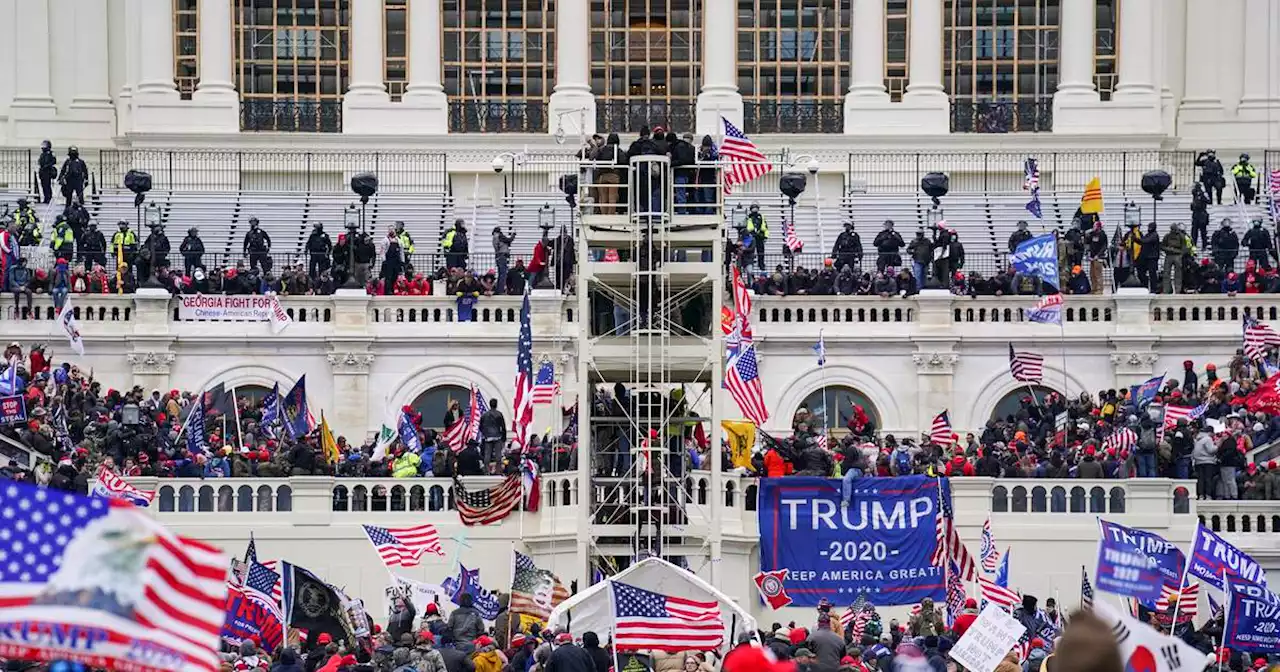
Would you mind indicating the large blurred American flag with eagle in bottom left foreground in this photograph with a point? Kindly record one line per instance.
(152, 589)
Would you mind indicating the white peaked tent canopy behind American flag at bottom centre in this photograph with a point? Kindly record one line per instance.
(592, 610)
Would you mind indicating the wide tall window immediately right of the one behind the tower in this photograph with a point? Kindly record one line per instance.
(793, 65)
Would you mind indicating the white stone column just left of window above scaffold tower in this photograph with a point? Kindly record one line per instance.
(573, 103)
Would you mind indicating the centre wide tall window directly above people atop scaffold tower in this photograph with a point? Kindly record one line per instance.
(646, 62)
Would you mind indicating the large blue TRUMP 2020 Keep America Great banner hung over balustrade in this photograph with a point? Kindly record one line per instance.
(881, 546)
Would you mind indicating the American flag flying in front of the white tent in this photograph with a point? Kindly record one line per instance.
(647, 620)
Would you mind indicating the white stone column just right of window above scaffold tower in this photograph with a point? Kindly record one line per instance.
(720, 95)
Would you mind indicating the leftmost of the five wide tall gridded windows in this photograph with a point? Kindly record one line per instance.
(292, 63)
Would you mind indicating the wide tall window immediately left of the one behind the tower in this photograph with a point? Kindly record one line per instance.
(500, 63)
